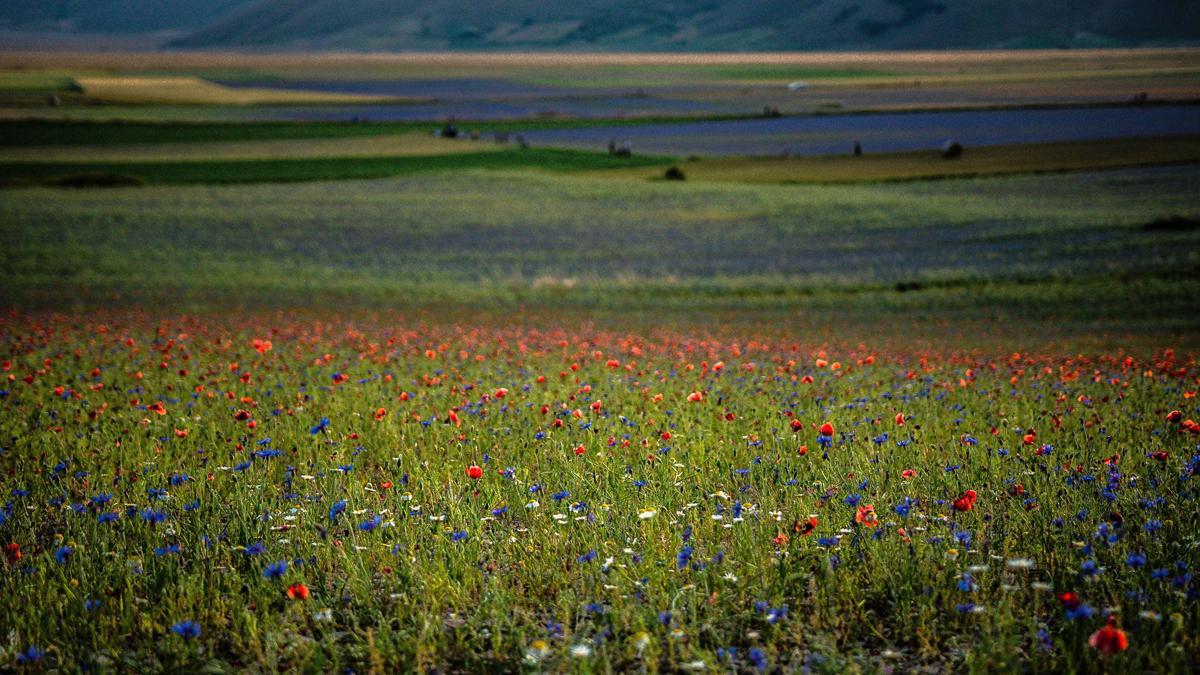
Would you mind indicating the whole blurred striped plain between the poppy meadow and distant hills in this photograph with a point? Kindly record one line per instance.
(489, 182)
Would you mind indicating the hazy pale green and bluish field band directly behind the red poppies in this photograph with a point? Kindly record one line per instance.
(1025, 250)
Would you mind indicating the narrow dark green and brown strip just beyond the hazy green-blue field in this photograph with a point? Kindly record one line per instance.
(379, 157)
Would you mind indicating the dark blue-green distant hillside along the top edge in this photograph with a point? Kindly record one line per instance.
(623, 25)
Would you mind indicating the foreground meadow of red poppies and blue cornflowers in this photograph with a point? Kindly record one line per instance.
(206, 493)
